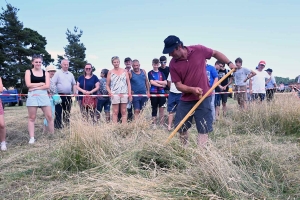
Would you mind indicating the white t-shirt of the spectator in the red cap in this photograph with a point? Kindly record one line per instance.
(259, 81)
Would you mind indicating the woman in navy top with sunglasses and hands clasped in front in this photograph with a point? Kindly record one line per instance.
(87, 84)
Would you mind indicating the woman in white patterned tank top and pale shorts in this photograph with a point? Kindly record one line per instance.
(118, 85)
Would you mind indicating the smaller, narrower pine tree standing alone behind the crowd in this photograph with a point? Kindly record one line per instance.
(74, 52)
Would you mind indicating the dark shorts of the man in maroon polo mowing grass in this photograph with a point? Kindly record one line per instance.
(202, 115)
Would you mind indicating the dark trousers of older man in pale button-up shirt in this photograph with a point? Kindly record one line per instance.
(62, 112)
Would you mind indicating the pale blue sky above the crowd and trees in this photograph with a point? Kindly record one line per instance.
(254, 30)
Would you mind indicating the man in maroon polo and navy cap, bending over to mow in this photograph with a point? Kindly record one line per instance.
(188, 72)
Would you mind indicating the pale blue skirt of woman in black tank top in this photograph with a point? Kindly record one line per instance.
(38, 98)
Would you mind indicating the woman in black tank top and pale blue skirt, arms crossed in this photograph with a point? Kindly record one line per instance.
(38, 83)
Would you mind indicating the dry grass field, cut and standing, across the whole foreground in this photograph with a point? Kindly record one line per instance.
(253, 154)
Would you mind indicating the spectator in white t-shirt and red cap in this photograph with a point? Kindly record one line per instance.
(258, 82)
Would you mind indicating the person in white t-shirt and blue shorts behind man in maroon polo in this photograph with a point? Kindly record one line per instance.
(173, 100)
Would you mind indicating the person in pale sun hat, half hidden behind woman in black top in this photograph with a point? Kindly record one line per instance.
(51, 91)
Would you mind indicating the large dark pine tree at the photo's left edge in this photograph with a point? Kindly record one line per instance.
(18, 44)
